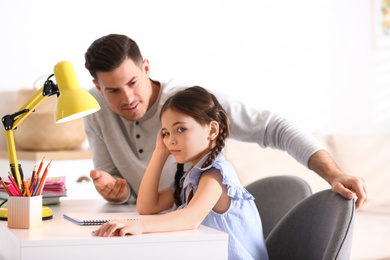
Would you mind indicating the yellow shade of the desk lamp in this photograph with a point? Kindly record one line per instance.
(73, 101)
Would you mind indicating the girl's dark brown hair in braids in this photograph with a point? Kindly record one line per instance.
(203, 107)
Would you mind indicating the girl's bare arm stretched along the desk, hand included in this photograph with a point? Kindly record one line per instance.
(211, 194)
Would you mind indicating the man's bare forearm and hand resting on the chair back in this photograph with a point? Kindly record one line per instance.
(341, 183)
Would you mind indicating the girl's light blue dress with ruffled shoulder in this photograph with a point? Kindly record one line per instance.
(241, 221)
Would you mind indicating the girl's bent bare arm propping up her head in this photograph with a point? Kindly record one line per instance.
(150, 200)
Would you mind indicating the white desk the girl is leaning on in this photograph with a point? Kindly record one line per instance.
(59, 238)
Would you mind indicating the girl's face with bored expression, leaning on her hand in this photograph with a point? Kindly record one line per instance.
(185, 138)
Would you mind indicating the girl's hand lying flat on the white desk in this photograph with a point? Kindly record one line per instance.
(119, 228)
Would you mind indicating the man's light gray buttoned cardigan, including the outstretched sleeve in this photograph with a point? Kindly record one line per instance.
(124, 148)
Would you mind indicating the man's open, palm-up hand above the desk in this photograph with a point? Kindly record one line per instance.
(113, 190)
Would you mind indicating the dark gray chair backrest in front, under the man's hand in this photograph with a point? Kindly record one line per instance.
(319, 227)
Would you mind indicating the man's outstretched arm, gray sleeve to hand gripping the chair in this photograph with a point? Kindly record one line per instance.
(271, 130)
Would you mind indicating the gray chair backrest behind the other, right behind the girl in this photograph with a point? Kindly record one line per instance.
(275, 196)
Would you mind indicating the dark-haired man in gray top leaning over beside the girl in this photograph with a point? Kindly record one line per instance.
(122, 134)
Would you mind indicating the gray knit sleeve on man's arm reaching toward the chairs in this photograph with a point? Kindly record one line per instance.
(268, 129)
